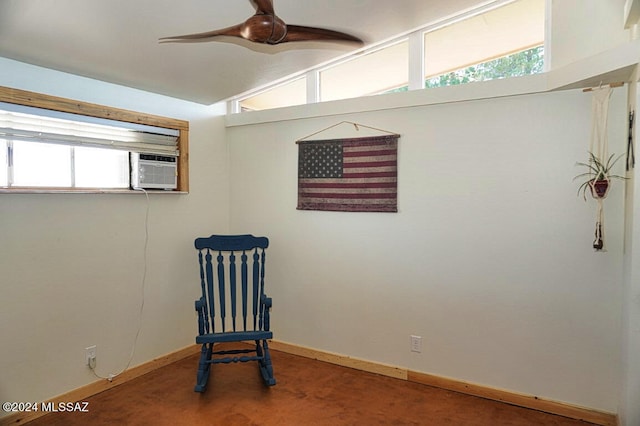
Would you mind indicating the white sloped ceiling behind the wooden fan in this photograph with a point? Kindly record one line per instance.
(117, 40)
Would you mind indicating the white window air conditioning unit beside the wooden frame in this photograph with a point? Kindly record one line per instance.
(151, 171)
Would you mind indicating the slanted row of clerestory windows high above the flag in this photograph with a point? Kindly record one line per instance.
(490, 42)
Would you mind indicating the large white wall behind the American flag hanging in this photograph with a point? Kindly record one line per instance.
(489, 258)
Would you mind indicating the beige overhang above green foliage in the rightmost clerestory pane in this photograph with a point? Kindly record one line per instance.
(497, 33)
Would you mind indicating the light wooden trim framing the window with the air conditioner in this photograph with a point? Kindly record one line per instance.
(39, 100)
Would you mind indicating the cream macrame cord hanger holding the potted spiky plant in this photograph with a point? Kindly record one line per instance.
(599, 146)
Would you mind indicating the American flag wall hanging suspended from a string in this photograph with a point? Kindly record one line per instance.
(350, 175)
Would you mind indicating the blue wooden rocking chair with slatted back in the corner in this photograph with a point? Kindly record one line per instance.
(220, 291)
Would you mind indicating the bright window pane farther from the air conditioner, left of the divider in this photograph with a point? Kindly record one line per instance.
(41, 164)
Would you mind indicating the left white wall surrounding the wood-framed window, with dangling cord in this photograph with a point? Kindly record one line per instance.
(72, 265)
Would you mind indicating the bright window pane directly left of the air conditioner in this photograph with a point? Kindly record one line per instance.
(101, 168)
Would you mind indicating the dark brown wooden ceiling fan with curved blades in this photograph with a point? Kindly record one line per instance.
(266, 27)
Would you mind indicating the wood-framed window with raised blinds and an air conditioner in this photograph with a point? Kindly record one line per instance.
(50, 144)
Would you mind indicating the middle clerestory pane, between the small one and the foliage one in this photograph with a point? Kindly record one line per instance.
(377, 72)
